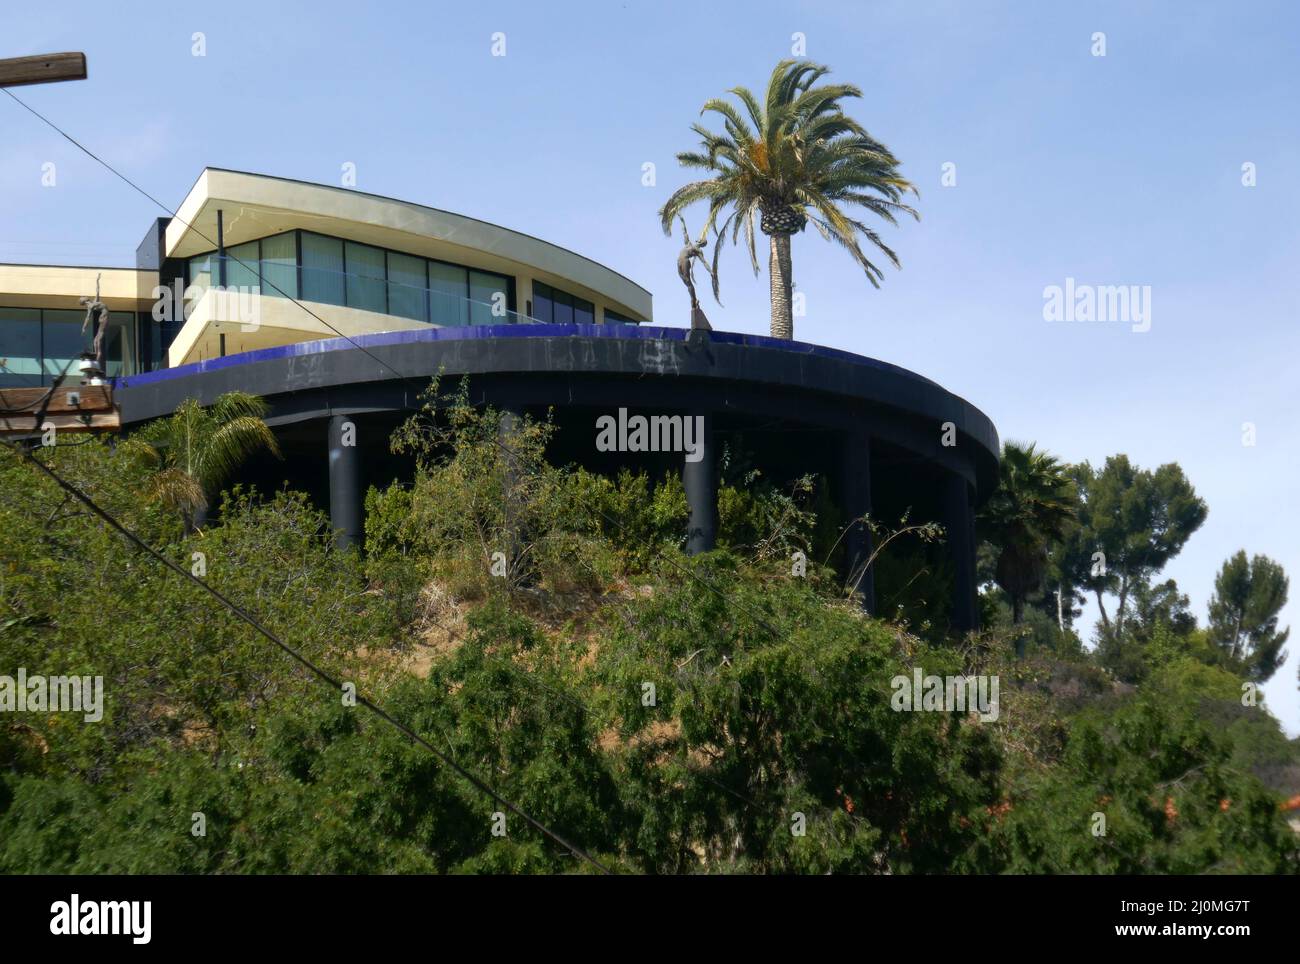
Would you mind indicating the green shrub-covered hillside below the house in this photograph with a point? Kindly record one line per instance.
(541, 626)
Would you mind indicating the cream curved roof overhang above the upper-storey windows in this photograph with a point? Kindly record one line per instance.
(257, 206)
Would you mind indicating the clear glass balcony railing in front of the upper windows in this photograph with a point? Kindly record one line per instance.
(418, 303)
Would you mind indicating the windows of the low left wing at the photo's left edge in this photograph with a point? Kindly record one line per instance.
(36, 344)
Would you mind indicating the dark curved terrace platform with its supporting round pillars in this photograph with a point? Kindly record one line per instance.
(886, 441)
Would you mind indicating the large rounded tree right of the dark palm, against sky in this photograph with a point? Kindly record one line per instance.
(1132, 523)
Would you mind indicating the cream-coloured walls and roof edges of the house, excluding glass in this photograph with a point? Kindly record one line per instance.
(255, 207)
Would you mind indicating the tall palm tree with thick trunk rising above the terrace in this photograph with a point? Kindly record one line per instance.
(796, 158)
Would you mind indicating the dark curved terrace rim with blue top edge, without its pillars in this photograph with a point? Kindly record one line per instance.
(738, 372)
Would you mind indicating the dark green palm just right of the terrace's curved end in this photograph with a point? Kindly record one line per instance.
(1033, 509)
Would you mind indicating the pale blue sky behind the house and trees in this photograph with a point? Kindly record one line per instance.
(1124, 170)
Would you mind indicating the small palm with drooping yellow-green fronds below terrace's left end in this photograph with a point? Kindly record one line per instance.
(194, 451)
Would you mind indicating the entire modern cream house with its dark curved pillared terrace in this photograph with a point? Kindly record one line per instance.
(339, 307)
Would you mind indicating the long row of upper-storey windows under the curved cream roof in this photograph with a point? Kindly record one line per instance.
(332, 271)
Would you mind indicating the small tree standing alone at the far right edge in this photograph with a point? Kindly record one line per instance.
(1245, 615)
